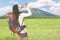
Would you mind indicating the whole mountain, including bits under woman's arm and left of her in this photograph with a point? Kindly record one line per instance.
(37, 13)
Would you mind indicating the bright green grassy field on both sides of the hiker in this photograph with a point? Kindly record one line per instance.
(38, 29)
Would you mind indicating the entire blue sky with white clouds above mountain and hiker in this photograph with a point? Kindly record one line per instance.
(52, 6)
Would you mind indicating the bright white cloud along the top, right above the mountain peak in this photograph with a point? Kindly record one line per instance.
(41, 3)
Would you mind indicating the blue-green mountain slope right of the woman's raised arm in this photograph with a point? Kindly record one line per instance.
(40, 13)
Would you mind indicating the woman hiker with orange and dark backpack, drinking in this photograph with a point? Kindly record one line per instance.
(16, 21)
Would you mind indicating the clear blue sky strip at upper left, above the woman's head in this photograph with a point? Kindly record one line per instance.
(11, 2)
